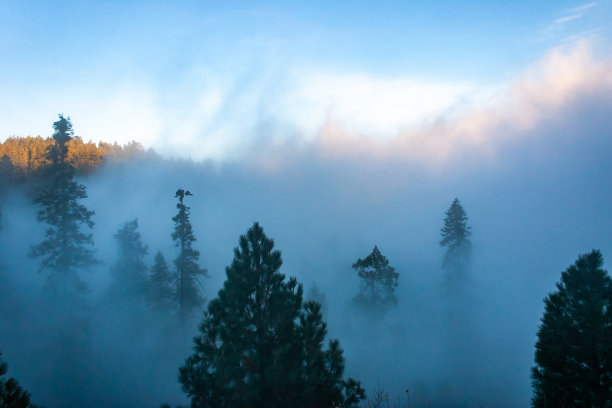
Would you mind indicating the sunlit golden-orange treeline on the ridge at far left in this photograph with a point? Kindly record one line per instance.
(21, 158)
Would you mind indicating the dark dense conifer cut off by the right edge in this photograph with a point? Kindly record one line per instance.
(574, 348)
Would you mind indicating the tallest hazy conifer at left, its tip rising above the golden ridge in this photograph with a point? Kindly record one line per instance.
(65, 248)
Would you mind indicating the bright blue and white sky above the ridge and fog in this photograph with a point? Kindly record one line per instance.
(206, 80)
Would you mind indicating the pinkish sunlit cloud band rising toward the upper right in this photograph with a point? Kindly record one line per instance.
(539, 94)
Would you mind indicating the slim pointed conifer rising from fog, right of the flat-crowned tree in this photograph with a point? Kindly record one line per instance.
(455, 237)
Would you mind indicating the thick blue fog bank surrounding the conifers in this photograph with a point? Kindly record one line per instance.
(535, 200)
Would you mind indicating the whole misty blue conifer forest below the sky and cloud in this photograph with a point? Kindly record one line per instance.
(128, 279)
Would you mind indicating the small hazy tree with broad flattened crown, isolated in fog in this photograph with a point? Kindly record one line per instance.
(378, 282)
